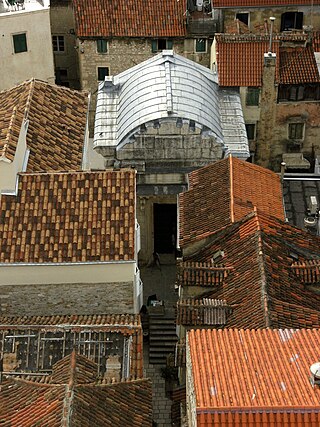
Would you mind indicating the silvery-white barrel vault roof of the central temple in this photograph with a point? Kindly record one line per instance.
(166, 87)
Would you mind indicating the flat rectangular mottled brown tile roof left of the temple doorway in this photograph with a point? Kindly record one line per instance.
(69, 217)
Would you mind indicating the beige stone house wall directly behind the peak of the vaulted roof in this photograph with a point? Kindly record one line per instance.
(123, 54)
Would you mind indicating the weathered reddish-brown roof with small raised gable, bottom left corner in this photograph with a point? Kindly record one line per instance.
(74, 394)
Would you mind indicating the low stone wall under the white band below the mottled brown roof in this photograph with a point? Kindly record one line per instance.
(77, 298)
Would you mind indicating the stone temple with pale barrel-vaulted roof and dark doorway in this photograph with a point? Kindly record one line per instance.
(164, 118)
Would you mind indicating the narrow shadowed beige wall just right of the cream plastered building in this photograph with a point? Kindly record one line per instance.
(62, 23)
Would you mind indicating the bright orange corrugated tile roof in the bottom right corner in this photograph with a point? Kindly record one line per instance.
(254, 377)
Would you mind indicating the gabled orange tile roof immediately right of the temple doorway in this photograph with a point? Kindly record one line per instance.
(224, 192)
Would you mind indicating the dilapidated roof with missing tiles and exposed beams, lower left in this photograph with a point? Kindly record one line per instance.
(98, 335)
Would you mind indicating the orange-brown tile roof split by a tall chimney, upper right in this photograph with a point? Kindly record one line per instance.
(294, 65)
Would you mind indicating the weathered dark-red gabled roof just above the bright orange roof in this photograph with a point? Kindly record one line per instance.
(262, 288)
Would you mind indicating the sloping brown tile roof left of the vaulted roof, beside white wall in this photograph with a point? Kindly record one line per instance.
(57, 123)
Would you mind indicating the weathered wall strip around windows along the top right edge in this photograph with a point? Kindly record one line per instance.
(258, 15)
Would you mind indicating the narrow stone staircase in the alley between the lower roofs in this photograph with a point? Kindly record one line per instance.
(162, 337)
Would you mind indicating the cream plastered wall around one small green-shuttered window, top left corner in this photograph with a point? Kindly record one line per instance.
(38, 60)
